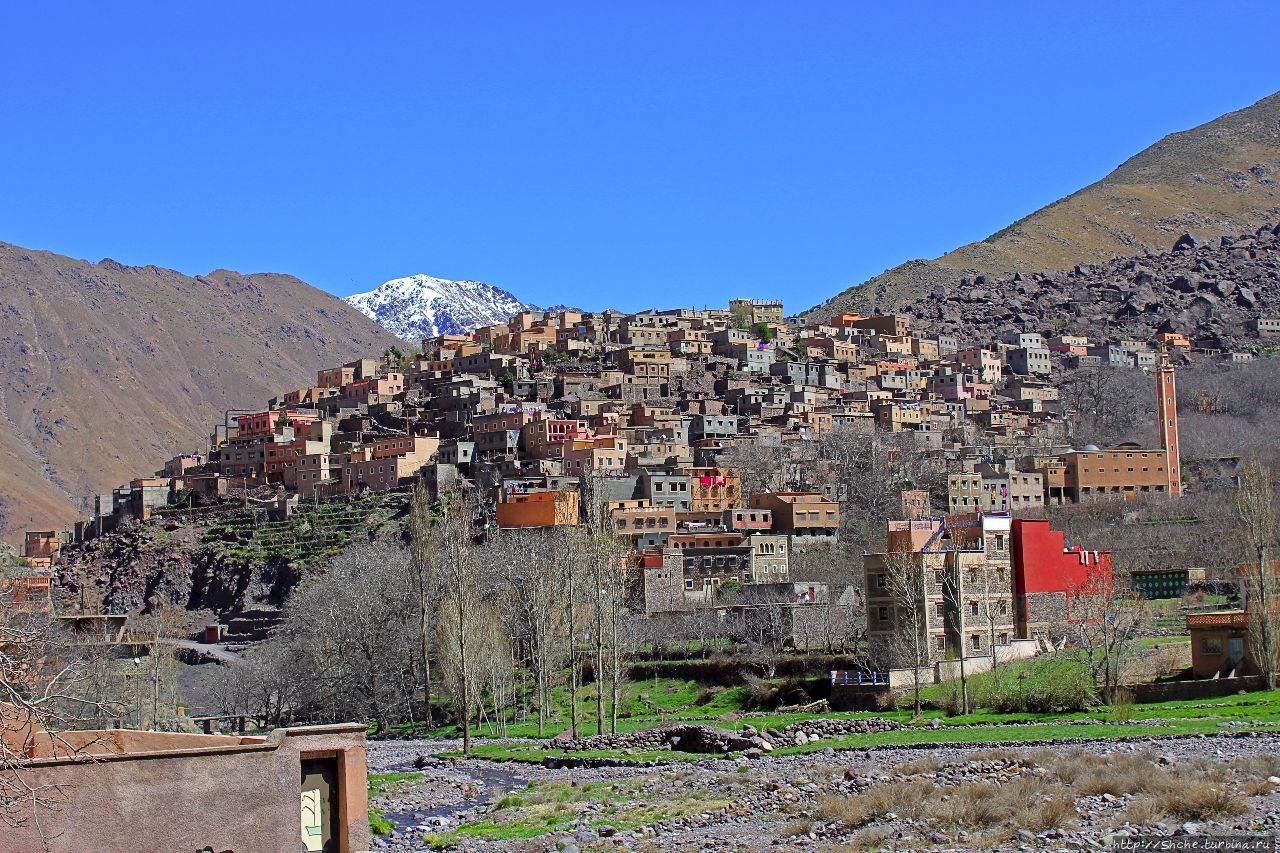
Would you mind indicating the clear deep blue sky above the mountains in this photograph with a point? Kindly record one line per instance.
(598, 154)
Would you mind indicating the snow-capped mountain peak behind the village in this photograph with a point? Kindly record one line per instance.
(423, 307)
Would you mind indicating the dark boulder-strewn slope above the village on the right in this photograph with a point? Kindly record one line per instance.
(1203, 290)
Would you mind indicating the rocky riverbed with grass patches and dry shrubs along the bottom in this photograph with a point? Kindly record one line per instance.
(1067, 797)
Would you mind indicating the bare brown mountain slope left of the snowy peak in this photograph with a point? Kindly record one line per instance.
(107, 371)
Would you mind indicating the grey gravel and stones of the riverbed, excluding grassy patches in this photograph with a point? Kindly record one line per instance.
(757, 805)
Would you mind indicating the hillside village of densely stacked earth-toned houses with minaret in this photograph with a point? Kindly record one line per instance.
(719, 445)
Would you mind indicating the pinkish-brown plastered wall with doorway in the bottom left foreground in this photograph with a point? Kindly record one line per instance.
(190, 795)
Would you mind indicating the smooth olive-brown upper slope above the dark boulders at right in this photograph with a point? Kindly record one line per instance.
(1215, 180)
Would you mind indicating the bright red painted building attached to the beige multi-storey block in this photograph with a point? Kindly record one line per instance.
(1046, 572)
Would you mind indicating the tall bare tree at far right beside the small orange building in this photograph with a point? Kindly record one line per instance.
(1258, 513)
